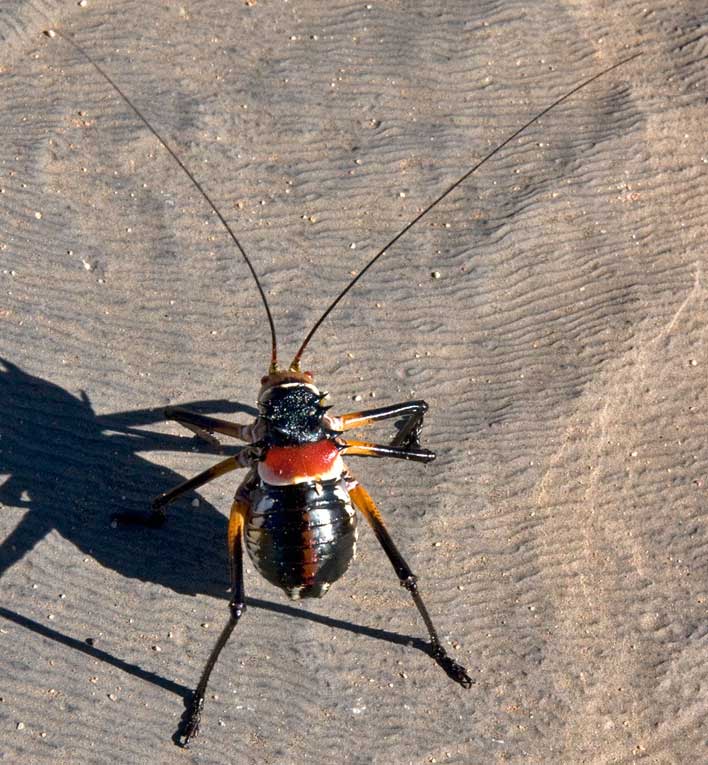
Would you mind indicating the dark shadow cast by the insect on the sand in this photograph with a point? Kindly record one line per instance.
(70, 470)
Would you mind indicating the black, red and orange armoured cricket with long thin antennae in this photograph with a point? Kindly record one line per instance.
(295, 510)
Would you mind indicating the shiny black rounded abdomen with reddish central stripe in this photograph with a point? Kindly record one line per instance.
(301, 537)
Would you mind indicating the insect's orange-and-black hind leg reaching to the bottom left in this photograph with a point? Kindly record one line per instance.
(189, 726)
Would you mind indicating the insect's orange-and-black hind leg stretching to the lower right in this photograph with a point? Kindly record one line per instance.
(365, 504)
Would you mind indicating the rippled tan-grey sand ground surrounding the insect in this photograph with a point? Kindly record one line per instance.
(560, 536)
